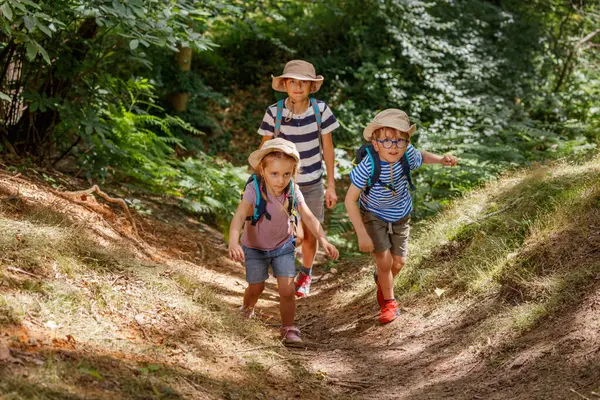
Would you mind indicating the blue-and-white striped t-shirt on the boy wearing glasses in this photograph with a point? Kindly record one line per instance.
(382, 201)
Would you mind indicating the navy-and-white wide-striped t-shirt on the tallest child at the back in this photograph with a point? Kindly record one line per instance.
(303, 131)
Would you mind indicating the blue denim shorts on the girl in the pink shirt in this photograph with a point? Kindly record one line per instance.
(281, 260)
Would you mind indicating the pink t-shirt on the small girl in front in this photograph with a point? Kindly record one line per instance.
(269, 235)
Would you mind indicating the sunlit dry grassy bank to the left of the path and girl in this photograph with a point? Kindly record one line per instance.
(127, 312)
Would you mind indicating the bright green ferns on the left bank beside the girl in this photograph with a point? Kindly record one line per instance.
(126, 142)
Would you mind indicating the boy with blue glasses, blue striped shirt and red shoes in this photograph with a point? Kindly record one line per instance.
(382, 223)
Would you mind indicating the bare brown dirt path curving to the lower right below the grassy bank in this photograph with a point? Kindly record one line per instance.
(434, 351)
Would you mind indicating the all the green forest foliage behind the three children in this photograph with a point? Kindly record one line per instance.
(499, 84)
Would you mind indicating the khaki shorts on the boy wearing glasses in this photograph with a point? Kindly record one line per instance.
(377, 229)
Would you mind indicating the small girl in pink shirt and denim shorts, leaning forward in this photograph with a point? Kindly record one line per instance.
(269, 239)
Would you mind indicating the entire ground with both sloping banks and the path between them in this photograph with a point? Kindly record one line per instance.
(500, 300)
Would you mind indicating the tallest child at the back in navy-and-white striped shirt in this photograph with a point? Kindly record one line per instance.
(307, 123)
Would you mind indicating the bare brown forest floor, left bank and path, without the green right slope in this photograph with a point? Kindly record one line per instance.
(90, 309)
